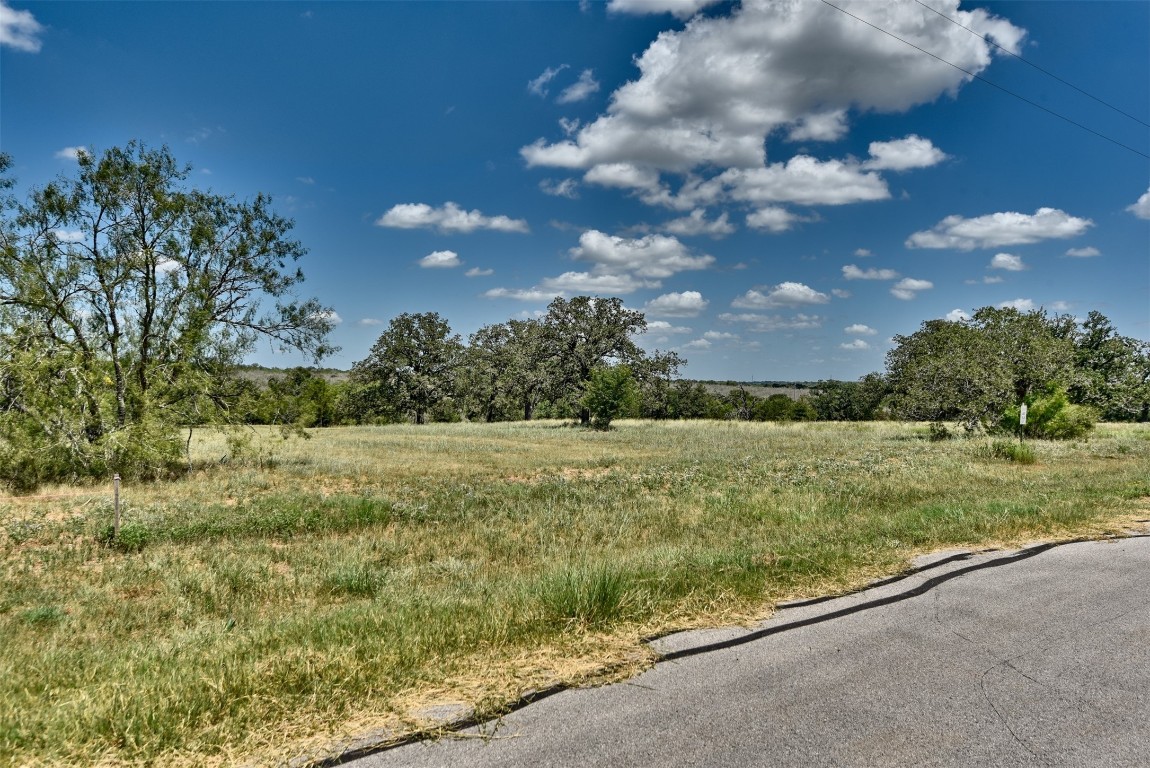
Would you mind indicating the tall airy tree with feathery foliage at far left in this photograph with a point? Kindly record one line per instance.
(127, 298)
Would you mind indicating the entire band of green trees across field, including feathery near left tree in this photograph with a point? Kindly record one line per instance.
(129, 302)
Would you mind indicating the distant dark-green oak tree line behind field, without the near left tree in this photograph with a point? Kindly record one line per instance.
(580, 362)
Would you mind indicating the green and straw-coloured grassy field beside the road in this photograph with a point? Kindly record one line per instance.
(316, 589)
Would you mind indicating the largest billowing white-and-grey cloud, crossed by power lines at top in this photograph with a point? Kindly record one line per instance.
(710, 94)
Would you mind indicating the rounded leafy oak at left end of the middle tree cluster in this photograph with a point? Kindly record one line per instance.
(412, 367)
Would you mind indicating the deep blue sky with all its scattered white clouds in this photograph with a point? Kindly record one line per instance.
(783, 188)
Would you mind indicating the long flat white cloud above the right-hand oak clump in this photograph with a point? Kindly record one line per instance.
(996, 231)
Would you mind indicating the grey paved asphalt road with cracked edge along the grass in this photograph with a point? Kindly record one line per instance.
(1040, 658)
